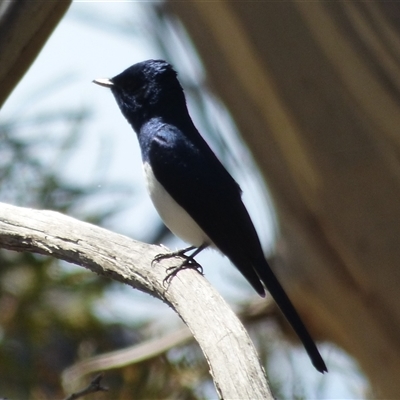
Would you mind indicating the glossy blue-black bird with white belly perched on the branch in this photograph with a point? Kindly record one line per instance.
(195, 196)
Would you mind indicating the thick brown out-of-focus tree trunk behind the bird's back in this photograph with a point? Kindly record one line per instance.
(314, 89)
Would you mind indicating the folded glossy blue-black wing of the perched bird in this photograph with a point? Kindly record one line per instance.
(198, 182)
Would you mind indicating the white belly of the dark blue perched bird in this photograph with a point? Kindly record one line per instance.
(174, 216)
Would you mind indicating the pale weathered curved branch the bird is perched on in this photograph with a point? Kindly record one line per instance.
(234, 364)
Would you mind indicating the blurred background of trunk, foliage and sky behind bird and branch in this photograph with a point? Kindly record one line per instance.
(301, 103)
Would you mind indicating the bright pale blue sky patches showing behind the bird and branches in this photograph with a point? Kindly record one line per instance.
(100, 39)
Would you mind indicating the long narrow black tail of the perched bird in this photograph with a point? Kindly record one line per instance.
(274, 287)
